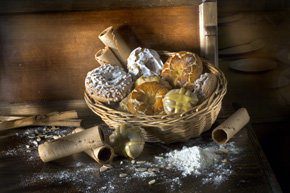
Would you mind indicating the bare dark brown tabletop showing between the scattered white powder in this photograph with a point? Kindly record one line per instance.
(250, 170)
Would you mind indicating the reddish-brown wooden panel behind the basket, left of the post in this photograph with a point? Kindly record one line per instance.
(47, 56)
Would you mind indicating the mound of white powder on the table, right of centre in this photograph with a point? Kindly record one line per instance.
(213, 160)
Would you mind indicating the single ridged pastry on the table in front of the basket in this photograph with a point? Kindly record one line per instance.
(128, 141)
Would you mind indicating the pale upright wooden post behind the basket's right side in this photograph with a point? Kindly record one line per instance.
(208, 31)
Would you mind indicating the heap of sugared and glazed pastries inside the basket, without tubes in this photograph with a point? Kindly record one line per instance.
(147, 86)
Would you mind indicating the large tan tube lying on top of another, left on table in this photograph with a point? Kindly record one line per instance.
(70, 144)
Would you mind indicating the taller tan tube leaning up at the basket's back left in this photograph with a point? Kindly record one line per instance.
(114, 41)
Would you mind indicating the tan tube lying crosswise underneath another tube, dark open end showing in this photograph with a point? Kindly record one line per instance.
(102, 154)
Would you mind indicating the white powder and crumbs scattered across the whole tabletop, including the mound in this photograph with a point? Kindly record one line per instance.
(195, 163)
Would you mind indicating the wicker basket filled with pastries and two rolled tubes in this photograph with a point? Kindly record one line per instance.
(170, 96)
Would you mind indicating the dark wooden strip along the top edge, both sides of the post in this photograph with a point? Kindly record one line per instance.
(22, 6)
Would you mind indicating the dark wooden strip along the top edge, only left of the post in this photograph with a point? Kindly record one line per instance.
(21, 6)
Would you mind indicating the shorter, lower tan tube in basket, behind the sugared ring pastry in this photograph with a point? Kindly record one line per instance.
(106, 56)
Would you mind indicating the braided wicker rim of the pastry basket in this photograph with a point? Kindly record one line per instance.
(209, 103)
